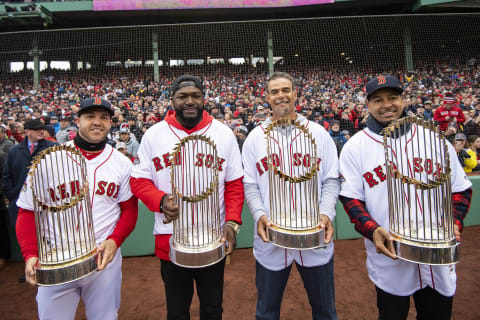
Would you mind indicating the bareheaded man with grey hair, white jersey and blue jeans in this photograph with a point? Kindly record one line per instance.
(274, 263)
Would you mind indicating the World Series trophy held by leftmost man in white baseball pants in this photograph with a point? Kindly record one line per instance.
(63, 216)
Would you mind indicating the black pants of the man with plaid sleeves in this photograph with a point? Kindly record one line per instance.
(429, 305)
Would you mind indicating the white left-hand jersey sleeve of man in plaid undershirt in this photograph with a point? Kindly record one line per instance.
(351, 174)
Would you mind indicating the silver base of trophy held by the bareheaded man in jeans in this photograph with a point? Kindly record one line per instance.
(301, 240)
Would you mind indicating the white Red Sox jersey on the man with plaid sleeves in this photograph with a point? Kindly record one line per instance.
(362, 165)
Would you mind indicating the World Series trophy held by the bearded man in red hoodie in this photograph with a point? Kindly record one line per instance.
(197, 232)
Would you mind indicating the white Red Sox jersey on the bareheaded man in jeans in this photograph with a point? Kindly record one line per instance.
(254, 156)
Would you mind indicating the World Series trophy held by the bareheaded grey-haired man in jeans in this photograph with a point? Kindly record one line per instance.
(292, 171)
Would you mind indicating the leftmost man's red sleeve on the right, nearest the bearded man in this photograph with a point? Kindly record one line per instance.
(127, 221)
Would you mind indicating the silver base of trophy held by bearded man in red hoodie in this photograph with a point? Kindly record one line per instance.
(196, 257)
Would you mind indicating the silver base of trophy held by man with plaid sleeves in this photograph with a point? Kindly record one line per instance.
(433, 254)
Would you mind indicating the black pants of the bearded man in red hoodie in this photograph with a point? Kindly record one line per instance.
(179, 290)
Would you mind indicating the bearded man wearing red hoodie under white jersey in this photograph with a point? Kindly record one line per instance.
(150, 182)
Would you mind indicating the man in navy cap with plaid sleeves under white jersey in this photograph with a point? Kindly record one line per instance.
(364, 196)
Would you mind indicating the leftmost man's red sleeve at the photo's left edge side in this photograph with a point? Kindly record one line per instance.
(27, 233)
